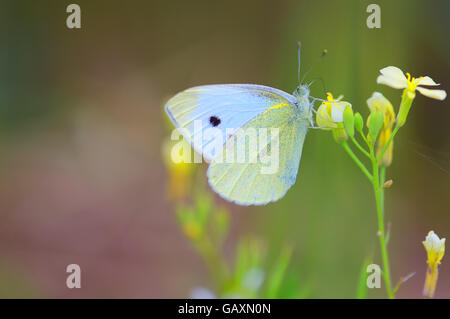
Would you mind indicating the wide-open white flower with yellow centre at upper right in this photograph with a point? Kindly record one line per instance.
(394, 77)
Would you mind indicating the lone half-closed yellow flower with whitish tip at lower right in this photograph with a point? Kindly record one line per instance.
(435, 248)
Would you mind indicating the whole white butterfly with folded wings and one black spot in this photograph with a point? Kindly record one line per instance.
(244, 107)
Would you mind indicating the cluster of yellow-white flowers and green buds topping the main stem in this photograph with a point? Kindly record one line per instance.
(337, 115)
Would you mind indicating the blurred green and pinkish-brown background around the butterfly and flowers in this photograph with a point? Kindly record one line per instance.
(83, 178)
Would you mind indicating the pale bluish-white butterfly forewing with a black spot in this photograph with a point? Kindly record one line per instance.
(220, 106)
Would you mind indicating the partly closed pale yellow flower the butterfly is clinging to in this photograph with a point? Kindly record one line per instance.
(331, 112)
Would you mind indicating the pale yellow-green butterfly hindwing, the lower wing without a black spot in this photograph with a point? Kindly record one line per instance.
(245, 183)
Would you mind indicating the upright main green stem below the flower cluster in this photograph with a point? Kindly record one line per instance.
(379, 199)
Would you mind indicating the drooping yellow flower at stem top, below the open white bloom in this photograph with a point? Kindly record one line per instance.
(378, 102)
